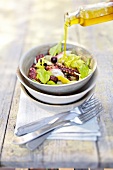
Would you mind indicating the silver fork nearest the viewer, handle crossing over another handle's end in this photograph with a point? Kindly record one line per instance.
(80, 119)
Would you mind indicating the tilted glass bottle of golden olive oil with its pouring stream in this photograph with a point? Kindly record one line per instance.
(88, 15)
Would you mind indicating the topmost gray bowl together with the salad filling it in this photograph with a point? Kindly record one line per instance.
(53, 71)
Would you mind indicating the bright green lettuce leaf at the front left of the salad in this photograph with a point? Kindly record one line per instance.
(43, 75)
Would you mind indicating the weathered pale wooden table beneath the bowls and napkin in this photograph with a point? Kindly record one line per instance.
(25, 24)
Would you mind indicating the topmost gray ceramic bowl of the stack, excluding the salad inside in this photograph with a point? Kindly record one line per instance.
(27, 60)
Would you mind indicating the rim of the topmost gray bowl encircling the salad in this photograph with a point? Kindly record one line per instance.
(61, 85)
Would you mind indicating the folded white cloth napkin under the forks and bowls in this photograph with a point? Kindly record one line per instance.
(30, 112)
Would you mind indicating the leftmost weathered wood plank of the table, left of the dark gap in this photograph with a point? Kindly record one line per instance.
(10, 50)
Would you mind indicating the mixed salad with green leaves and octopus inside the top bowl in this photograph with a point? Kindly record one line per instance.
(54, 68)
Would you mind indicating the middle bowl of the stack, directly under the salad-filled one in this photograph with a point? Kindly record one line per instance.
(55, 99)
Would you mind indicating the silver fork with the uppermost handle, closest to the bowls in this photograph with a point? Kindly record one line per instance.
(30, 127)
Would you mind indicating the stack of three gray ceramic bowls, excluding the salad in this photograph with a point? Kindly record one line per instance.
(62, 97)
